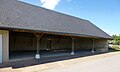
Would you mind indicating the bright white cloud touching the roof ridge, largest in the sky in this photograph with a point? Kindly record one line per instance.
(50, 4)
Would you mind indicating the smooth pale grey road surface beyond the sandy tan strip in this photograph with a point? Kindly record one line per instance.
(110, 64)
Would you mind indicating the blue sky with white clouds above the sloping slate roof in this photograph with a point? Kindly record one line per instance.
(103, 13)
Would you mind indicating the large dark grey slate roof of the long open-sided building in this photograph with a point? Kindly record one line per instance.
(16, 14)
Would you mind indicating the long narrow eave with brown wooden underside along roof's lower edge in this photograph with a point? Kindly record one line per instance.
(51, 32)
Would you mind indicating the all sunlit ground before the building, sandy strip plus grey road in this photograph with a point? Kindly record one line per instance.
(106, 62)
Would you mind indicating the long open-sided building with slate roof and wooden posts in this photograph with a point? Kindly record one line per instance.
(27, 28)
